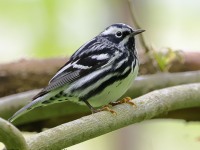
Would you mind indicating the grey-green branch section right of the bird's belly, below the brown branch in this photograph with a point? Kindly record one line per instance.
(146, 83)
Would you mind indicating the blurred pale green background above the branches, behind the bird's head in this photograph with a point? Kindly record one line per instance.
(51, 28)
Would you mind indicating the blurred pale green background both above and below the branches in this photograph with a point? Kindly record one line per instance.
(55, 28)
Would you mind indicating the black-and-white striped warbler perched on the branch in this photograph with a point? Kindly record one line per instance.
(98, 73)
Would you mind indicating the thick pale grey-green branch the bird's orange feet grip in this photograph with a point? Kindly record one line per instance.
(148, 106)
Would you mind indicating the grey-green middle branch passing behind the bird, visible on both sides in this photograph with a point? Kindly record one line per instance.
(70, 111)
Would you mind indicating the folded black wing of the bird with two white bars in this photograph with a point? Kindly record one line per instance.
(77, 67)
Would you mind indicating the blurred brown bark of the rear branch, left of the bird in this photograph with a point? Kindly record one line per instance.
(26, 75)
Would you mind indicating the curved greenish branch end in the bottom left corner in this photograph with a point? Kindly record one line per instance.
(11, 136)
